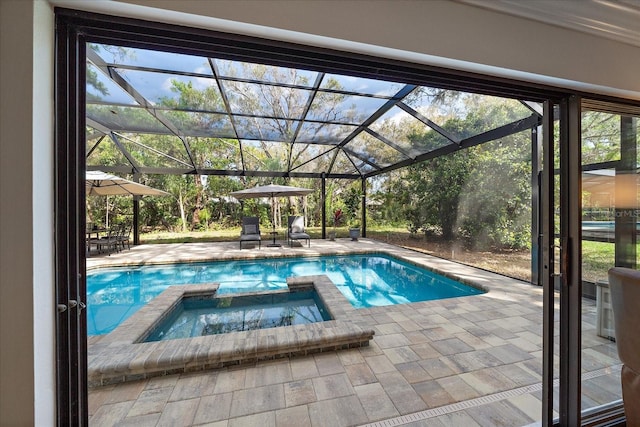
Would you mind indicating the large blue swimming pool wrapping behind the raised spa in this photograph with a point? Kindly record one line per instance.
(114, 294)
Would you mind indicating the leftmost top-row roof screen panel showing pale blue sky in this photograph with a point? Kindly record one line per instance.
(117, 55)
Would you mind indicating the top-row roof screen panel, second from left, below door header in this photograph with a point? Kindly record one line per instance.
(266, 73)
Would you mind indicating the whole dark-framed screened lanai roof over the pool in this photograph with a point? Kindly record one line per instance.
(159, 112)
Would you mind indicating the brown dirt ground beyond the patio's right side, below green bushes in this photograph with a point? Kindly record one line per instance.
(515, 264)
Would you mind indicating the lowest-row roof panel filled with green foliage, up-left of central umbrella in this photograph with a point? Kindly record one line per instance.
(216, 153)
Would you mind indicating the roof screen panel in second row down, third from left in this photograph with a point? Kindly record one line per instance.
(335, 107)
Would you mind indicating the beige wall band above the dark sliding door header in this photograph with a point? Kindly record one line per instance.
(434, 31)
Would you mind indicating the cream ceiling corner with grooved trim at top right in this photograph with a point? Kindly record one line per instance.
(614, 19)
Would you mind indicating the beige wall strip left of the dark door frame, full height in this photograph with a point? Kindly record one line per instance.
(26, 206)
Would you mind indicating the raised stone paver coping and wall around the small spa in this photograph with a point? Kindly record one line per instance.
(119, 357)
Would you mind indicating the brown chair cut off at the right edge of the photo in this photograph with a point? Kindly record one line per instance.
(624, 284)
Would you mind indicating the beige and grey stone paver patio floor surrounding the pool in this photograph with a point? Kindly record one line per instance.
(472, 361)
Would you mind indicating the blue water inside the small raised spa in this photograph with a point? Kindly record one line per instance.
(198, 316)
